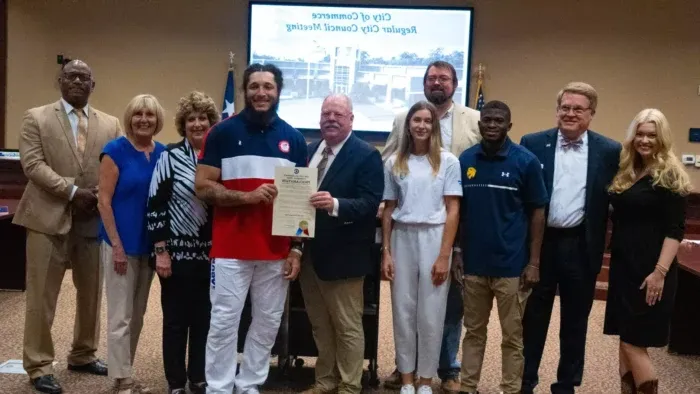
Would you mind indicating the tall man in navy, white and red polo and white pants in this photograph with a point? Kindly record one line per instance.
(235, 175)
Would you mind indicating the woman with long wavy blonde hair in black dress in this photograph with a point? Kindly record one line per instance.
(648, 198)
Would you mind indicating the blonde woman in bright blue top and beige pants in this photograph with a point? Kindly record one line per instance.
(126, 165)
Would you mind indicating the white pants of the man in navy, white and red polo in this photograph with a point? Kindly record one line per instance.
(230, 282)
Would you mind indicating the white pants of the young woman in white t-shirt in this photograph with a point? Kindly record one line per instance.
(418, 306)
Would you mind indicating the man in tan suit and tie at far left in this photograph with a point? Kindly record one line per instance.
(59, 149)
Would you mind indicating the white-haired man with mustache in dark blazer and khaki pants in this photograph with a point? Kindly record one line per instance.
(335, 262)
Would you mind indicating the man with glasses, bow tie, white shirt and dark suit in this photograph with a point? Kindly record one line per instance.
(578, 165)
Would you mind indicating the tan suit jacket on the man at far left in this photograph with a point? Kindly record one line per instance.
(49, 157)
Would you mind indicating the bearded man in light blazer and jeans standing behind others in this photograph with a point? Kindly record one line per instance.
(459, 128)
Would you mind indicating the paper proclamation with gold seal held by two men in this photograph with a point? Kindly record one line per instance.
(292, 213)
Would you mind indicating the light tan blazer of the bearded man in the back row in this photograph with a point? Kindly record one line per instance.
(465, 131)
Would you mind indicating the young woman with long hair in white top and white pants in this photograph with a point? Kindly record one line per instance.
(422, 190)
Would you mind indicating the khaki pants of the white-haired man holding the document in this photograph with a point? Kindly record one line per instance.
(335, 310)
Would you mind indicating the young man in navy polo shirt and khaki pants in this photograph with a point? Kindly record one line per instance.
(501, 227)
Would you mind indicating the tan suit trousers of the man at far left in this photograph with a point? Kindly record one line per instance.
(48, 256)
